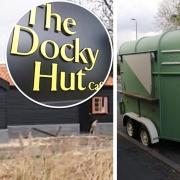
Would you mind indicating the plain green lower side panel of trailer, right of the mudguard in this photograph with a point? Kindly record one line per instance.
(170, 107)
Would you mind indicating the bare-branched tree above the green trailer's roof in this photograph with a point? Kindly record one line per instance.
(168, 16)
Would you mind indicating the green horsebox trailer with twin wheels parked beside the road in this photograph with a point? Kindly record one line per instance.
(150, 79)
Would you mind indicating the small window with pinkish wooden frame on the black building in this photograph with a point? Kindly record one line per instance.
(100, 105)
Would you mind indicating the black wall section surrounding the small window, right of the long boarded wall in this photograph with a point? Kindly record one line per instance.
(86, 108)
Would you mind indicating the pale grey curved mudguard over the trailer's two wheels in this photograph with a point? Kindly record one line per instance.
(147, 123)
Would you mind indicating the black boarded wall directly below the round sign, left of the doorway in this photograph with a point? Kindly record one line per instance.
(22, 111)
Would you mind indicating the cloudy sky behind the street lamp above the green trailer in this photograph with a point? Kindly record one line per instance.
(142, 10)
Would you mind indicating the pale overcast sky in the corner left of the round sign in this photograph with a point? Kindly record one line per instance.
(11, 12)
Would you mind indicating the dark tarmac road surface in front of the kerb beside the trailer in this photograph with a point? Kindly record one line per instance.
(134, 163)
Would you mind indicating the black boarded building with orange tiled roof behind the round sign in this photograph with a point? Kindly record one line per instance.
(15, 109)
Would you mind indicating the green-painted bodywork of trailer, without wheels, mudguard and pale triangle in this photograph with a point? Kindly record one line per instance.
(166, 83)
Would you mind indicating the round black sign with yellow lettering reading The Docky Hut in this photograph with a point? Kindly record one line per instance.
(59, 54)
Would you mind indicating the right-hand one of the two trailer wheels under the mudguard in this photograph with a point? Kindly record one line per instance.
(144, 136)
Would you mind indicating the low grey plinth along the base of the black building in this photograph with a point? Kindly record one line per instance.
(53, 130)
